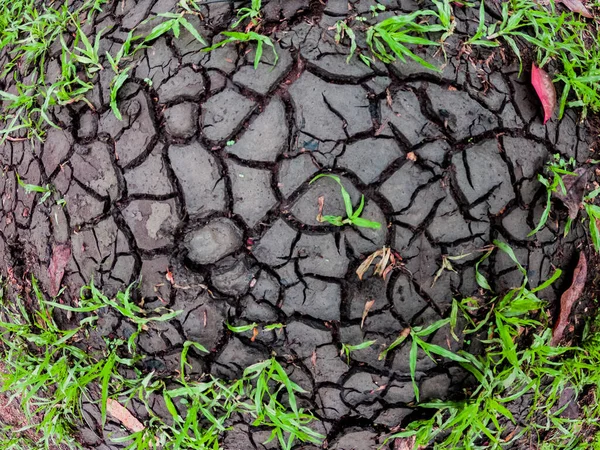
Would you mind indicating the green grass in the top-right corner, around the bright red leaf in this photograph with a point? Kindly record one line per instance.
(552, 35)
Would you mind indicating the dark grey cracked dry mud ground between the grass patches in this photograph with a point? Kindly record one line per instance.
(236, 224)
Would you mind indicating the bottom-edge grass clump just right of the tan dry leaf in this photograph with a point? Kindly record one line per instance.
(210, 404)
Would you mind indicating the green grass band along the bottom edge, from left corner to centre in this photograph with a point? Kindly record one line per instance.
(51, 372)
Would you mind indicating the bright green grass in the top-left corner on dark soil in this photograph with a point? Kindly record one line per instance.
(29, 29)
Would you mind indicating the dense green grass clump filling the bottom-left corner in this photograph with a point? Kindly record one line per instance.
(49, 374)
